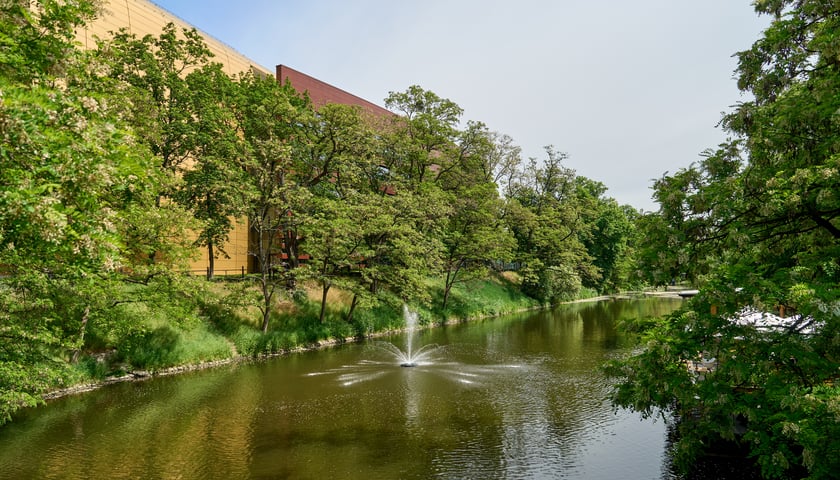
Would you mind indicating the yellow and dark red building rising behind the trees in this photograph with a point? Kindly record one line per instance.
(142, 17)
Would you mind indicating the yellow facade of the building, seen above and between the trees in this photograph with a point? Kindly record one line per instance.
(142, 17)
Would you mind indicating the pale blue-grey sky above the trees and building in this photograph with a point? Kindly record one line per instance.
(628, 89)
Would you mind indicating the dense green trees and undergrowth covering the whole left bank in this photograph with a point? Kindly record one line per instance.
(118, 163)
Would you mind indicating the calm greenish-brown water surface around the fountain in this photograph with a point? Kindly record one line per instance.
(519, 397)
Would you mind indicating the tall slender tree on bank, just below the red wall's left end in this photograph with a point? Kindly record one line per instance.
(270, 117)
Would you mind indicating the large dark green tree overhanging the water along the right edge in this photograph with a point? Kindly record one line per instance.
(760, 216)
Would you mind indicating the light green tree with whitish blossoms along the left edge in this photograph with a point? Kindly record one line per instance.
(72, 177)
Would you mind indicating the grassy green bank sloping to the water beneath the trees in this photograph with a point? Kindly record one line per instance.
(217, 322)
